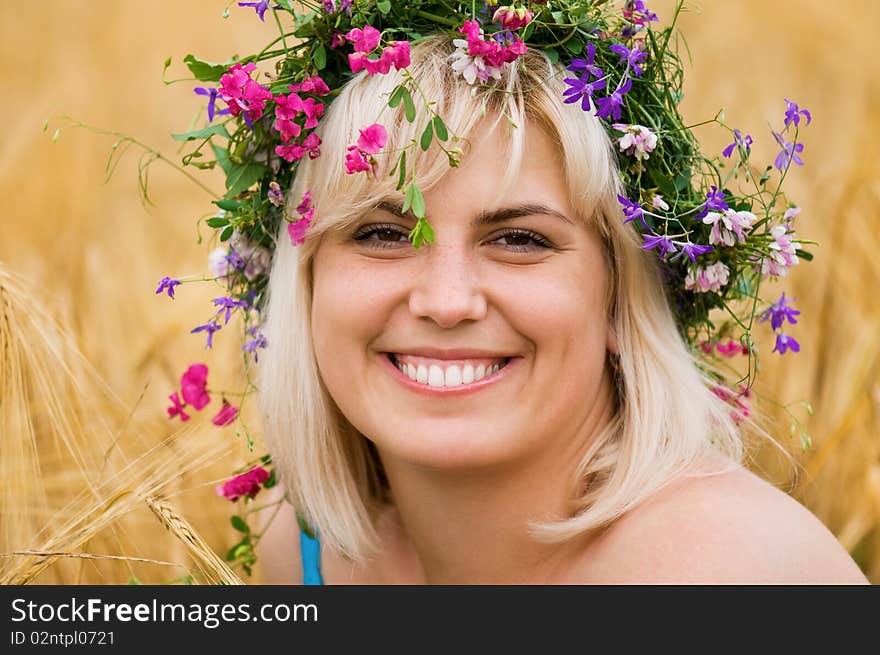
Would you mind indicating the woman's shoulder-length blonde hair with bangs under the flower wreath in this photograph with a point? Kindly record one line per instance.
(666, 418)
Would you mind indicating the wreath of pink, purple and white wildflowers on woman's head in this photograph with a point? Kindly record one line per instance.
(720, 225)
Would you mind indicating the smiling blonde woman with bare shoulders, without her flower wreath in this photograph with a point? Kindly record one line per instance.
(512, 403)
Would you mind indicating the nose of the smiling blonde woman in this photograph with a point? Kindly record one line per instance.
(447, 287)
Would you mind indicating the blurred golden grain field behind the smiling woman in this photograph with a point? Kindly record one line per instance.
(85, 253)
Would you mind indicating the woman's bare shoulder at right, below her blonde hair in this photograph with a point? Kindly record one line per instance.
(726, 528)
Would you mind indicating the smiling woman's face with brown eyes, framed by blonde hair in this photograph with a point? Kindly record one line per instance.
(519, 286)
